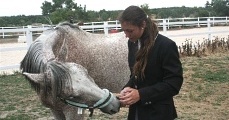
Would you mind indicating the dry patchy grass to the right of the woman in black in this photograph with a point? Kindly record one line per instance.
(204, 94)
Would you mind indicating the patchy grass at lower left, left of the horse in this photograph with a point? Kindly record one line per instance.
(18, 101)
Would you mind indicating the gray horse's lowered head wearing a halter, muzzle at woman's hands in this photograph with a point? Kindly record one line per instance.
(70, 83)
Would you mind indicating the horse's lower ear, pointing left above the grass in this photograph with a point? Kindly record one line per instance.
(37, 78)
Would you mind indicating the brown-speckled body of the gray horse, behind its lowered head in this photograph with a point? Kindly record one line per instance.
(105, 58)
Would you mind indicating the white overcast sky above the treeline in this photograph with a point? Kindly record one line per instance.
(32, 7)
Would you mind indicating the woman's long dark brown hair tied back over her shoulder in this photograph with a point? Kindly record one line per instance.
(136, 16)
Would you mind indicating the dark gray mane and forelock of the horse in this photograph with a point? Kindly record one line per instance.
(35, 62)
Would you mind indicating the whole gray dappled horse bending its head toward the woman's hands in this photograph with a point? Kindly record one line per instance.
(63, 63)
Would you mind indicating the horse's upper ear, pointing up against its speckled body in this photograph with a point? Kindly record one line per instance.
(63, 53)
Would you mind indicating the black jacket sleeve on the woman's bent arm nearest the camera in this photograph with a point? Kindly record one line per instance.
(172, 78)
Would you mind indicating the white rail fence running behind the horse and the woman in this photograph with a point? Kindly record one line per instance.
(106, 26)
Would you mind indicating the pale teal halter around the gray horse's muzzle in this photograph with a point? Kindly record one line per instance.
(100, 104)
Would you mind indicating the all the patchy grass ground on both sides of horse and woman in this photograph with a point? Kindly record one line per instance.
(204, 94)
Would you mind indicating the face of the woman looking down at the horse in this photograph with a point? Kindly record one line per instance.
(132, 32)
